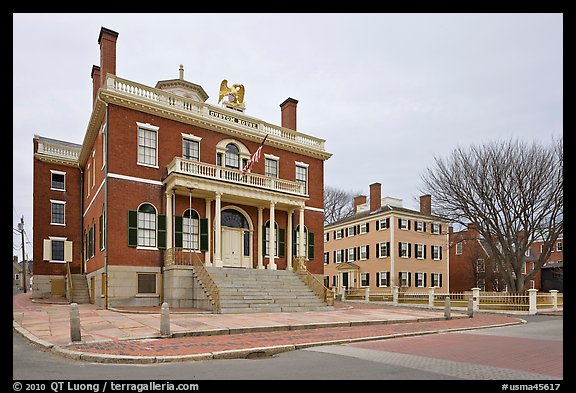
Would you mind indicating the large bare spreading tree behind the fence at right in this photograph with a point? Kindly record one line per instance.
(513, 191)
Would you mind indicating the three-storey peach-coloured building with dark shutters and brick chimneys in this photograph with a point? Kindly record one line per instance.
(384, 244)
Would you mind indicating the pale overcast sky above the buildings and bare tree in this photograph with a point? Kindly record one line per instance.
(387, 92)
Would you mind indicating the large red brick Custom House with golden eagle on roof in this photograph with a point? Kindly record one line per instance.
(158, 179)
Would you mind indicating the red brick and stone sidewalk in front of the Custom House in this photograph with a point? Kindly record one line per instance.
(109, 336)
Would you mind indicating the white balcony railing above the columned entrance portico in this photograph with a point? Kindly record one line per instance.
(214, 172)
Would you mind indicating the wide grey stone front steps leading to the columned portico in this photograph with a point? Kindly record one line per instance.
(262, 290)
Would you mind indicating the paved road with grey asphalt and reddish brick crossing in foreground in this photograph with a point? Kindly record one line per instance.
(531, 351)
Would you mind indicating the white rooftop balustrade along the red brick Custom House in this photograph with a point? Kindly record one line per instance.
(210, 112)
